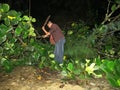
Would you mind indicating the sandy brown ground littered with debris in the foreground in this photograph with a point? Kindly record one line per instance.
(31, 78)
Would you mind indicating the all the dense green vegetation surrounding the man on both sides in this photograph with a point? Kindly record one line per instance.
(89, 52)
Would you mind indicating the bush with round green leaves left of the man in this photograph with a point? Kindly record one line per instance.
(17, 38)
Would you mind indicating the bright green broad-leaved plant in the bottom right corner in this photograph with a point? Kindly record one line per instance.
(111, 69)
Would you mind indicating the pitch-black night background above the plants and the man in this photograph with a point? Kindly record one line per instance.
(62, 11)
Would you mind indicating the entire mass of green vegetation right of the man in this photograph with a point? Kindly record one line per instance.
(83, 44)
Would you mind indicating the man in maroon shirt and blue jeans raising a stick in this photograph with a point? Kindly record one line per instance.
(58, 38)
